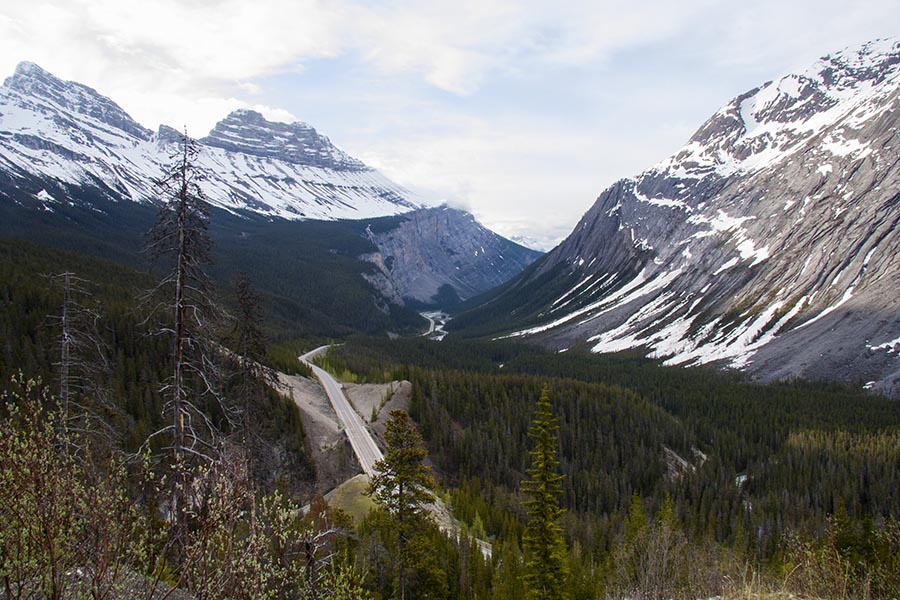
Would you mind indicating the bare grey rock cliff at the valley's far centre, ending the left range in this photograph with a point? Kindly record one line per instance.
(436, 247)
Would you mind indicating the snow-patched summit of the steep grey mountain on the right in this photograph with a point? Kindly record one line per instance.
(769, 123)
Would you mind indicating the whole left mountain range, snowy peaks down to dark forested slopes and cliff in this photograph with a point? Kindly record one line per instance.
(77, 172)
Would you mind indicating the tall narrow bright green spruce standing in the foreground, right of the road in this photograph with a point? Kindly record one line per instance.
(544, 546)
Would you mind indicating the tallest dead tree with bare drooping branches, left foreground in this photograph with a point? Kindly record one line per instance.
(183, 299)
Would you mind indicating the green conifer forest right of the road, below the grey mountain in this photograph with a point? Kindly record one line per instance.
(748, 468)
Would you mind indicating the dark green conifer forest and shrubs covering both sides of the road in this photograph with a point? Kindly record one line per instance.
(673, 482)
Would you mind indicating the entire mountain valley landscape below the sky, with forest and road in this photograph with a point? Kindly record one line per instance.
(693, 395)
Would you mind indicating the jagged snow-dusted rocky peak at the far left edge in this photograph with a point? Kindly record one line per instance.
(31, 81)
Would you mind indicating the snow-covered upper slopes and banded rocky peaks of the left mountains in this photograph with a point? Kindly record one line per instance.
(70, 136)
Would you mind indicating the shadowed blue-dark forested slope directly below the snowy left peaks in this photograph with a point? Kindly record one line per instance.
(307, 271)
